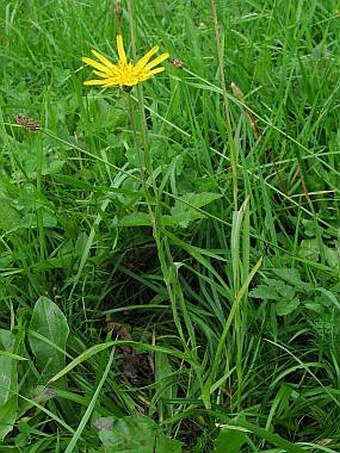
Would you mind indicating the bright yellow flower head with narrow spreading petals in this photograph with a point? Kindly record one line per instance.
(124, 73)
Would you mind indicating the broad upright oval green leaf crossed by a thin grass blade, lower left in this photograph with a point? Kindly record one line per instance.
(50, 323)
